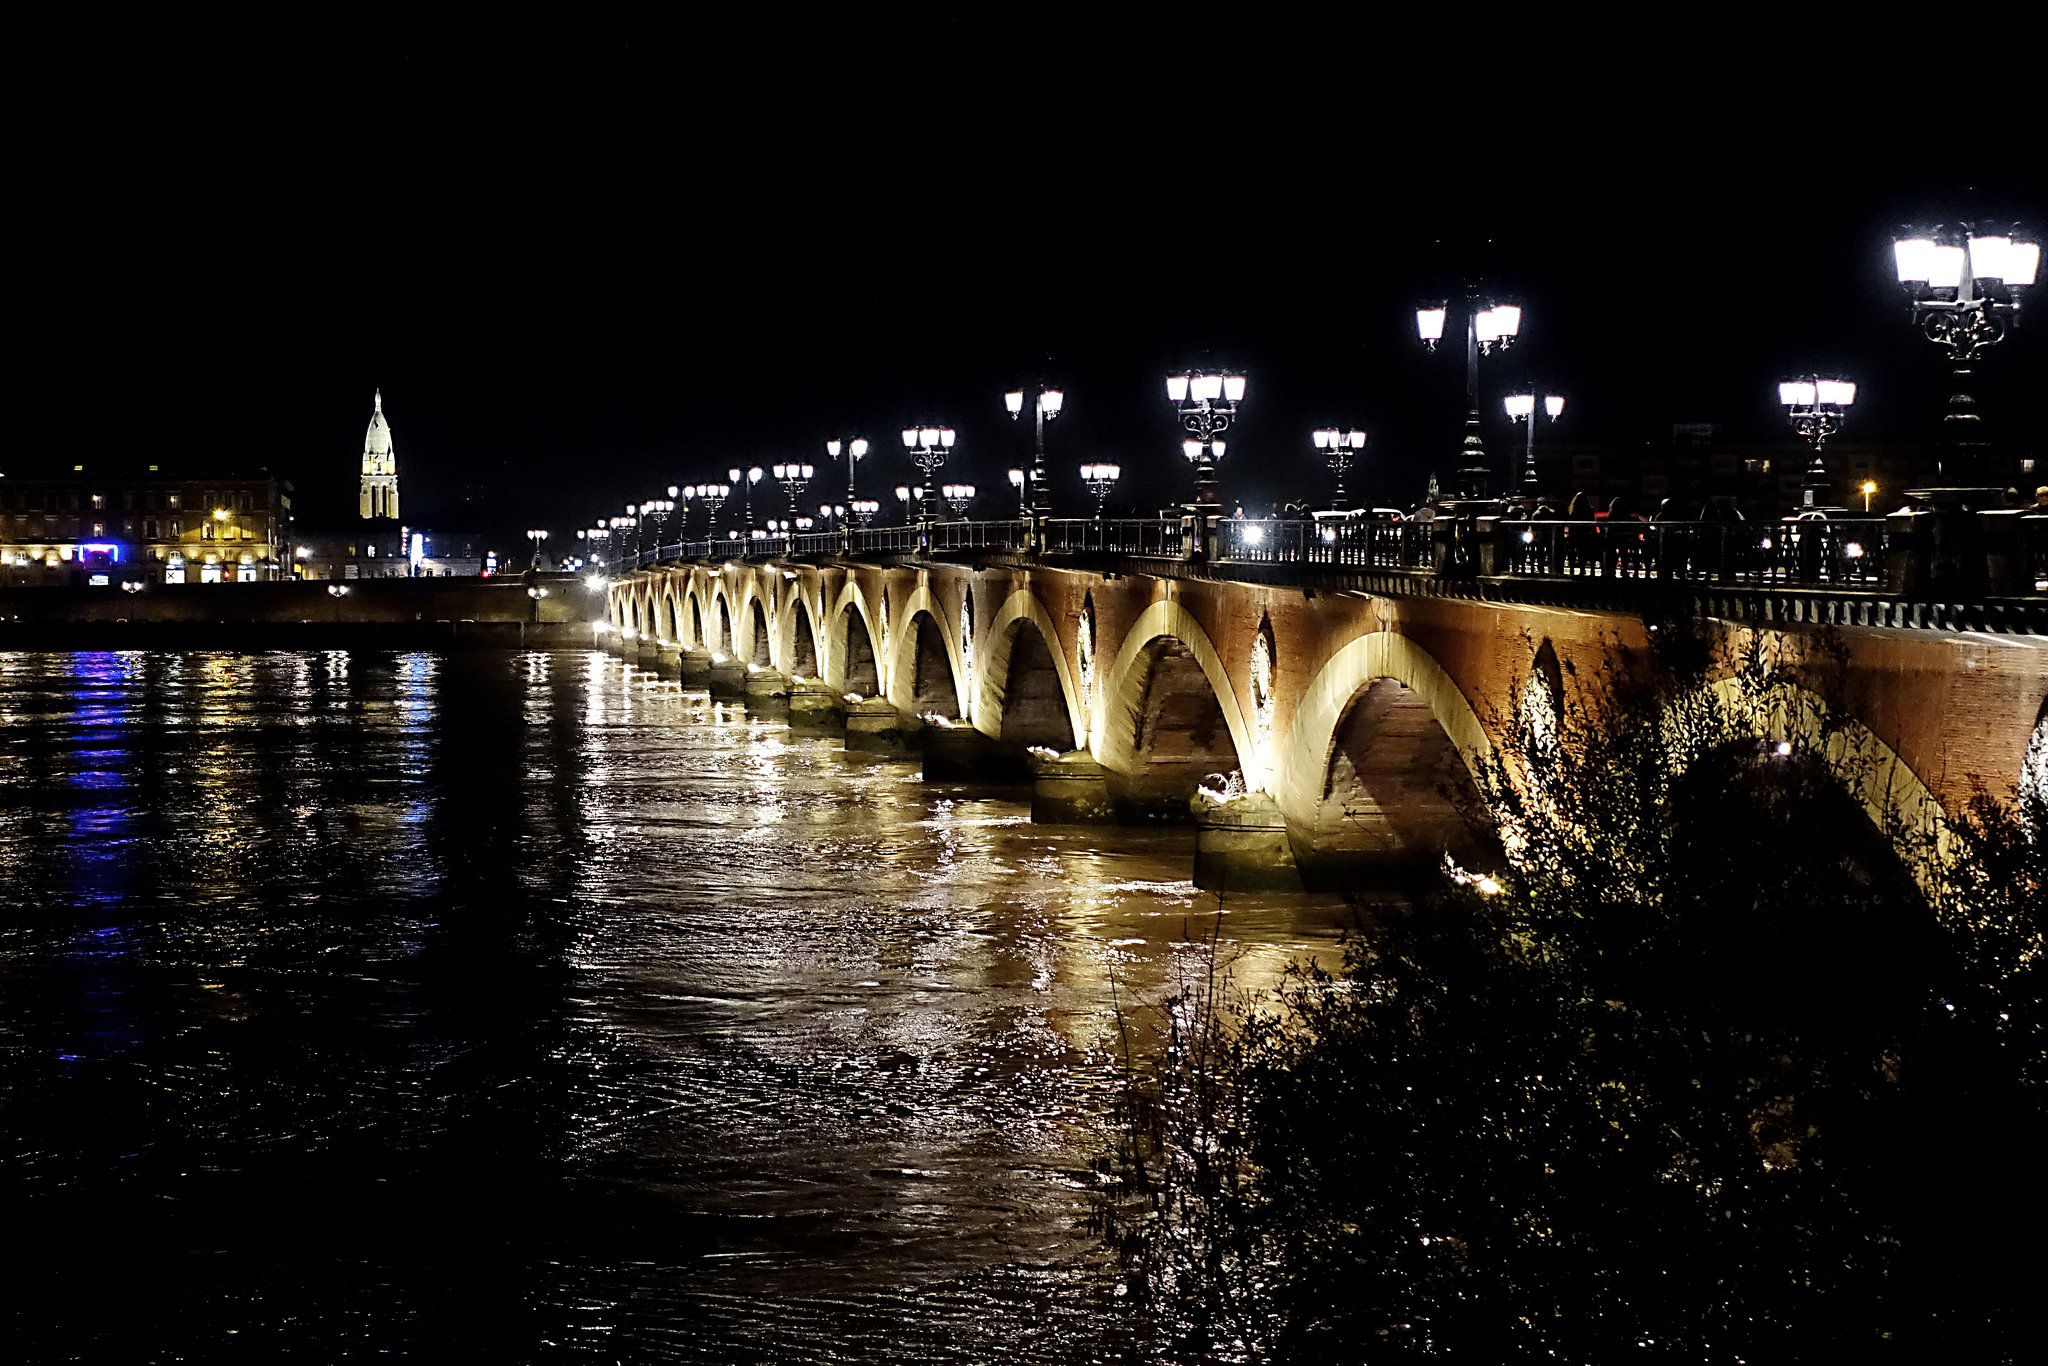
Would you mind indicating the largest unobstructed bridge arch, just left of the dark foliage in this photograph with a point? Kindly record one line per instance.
(1375, 771)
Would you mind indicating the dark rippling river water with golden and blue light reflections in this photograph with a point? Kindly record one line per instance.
(523, 1007)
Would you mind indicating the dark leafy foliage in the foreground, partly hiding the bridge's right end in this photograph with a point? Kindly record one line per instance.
(1742, 1060)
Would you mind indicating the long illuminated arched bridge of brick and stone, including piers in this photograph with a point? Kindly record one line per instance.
(1330, 712)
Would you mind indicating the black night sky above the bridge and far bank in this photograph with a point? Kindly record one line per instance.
(589, 265)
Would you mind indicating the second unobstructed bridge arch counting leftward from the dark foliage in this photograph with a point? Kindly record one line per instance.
(1168, 718)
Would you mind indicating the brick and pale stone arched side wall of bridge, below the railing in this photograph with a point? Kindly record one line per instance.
(1351, 710)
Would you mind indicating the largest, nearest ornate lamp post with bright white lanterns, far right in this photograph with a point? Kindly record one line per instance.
(1967, 284)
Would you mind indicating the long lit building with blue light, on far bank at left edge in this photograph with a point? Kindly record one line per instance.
(110, 527)
